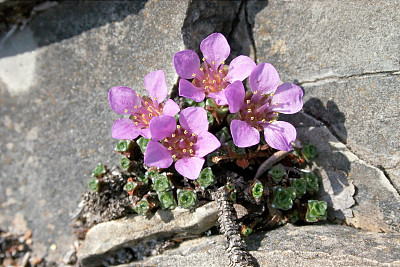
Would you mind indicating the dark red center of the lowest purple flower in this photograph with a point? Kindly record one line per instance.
(181, 143)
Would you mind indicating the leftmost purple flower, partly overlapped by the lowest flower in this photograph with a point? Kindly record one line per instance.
(124, 100)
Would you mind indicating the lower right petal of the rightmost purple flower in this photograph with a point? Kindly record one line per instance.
(280, 135)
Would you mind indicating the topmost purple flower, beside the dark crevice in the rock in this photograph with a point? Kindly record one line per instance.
(212, 76)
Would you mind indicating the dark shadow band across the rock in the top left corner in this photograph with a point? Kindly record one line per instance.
(71, 18)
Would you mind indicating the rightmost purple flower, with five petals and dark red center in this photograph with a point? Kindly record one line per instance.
(258, 109)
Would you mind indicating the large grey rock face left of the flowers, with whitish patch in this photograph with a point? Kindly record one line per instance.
(55, 117)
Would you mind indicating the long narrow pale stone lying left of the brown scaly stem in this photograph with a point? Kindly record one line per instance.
(107, 237)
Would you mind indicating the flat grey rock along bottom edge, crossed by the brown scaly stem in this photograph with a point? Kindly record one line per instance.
(315, 245)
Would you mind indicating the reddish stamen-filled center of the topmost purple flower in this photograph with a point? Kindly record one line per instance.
(211, 77)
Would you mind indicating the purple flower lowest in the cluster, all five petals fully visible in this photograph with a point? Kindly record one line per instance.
(186, 143)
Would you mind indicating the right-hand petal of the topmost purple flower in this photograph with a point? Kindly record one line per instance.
(240, 68)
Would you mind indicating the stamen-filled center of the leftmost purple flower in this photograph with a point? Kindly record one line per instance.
(148, 110)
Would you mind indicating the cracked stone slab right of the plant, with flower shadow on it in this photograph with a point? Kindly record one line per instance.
(377, 206)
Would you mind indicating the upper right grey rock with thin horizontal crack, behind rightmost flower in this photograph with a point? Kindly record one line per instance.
(345, 55)
